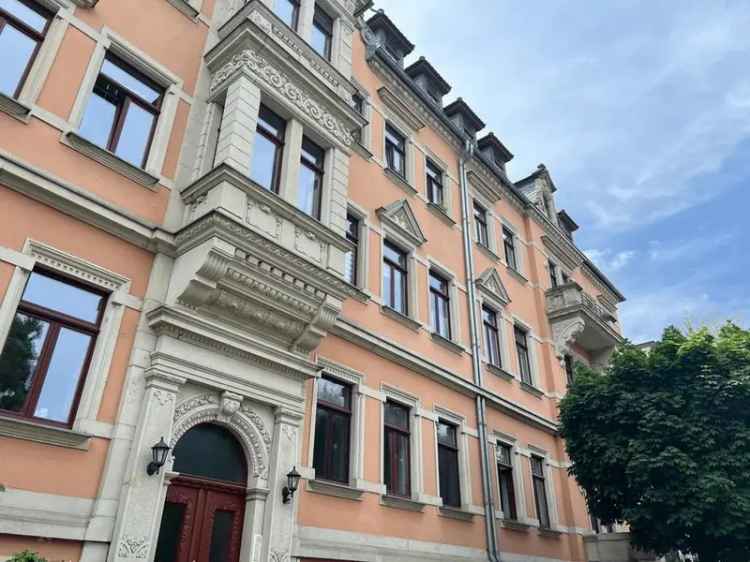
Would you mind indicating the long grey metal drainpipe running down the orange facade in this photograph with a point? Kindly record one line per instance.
(493, 551)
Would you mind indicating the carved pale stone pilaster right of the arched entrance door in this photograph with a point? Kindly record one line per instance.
(280, 517)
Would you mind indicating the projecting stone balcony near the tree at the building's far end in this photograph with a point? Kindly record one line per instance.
(575, 317)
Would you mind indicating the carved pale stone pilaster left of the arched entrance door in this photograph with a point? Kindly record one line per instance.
(137, 528)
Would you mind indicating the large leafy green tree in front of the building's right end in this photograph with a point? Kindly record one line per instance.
(661, 440)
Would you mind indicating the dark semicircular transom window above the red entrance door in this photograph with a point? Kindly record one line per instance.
(210, 451)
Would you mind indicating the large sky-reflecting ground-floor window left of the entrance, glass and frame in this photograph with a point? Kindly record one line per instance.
(47, 352)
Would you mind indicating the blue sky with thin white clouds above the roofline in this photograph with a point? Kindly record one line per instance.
(641, 111)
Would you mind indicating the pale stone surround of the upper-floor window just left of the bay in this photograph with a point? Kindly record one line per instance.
(109, 41)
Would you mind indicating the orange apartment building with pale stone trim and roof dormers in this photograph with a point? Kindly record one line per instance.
(267, 297)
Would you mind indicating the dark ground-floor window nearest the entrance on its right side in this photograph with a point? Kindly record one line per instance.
(332, 423)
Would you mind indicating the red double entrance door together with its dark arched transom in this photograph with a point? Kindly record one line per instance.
(205, 506)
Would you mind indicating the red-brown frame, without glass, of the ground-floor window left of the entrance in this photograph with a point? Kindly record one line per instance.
(57, 321)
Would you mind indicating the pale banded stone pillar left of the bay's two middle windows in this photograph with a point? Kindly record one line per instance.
(238, 123)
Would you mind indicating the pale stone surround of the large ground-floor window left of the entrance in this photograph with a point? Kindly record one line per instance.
(36, 253)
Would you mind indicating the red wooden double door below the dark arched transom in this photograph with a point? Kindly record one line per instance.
(202, 522)
